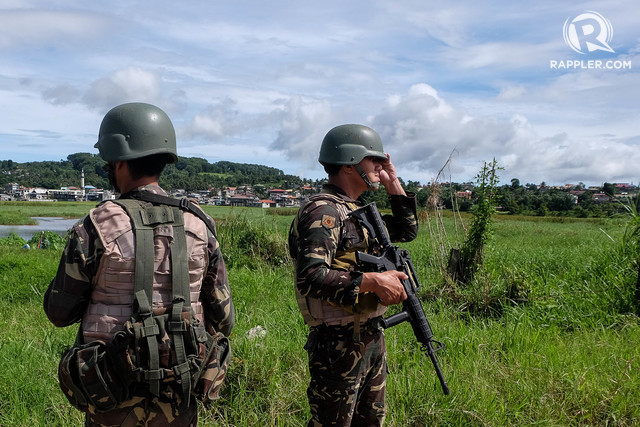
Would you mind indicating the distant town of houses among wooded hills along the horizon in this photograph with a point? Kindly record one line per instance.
(81, 178)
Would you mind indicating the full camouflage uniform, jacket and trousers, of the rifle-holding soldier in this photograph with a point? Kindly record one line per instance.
(346, 347)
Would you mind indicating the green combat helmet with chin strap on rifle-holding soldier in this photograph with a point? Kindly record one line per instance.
(348, 145)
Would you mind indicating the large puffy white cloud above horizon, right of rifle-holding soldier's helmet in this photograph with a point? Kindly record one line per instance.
(421, 130)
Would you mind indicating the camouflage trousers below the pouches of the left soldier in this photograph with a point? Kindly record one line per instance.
(144, 409)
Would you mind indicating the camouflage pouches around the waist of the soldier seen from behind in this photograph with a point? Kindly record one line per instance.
(100, 375)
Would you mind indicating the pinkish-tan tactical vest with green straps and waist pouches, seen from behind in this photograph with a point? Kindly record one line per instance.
(141, 327)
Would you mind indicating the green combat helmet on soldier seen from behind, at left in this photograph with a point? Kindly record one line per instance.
(134, 130)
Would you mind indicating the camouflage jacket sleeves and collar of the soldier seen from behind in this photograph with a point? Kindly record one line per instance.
(68, 295)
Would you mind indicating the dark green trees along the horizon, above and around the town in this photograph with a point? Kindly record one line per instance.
(196, 174)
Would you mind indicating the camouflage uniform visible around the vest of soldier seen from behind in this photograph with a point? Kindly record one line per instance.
(70, 292)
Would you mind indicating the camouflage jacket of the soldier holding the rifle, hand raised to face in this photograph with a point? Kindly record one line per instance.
(320, 237)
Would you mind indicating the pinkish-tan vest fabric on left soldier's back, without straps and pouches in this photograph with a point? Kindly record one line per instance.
(111, 303)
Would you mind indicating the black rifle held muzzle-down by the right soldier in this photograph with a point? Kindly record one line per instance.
(393, 258)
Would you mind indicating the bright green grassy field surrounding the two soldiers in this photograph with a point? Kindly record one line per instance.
(544, 336)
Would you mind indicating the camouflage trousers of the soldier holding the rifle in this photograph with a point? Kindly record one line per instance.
(348, 378)
